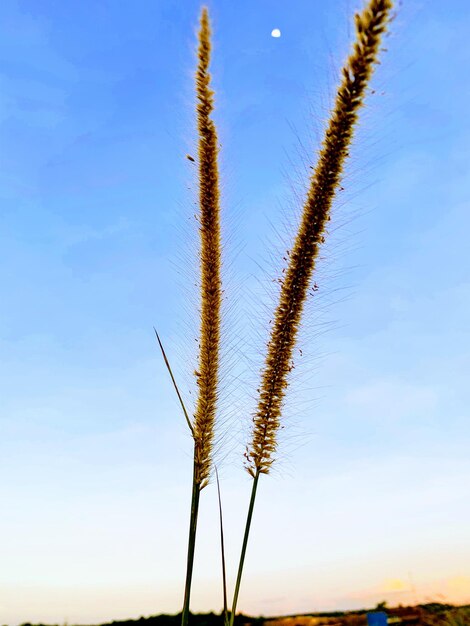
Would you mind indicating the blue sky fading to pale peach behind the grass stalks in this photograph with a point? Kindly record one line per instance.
(368, 498)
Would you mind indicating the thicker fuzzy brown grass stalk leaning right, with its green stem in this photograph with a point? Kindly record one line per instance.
(356, 73)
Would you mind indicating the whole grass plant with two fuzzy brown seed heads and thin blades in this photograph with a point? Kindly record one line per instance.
(370, 25)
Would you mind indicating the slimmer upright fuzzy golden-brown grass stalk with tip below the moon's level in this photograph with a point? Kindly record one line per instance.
(211, 294)
